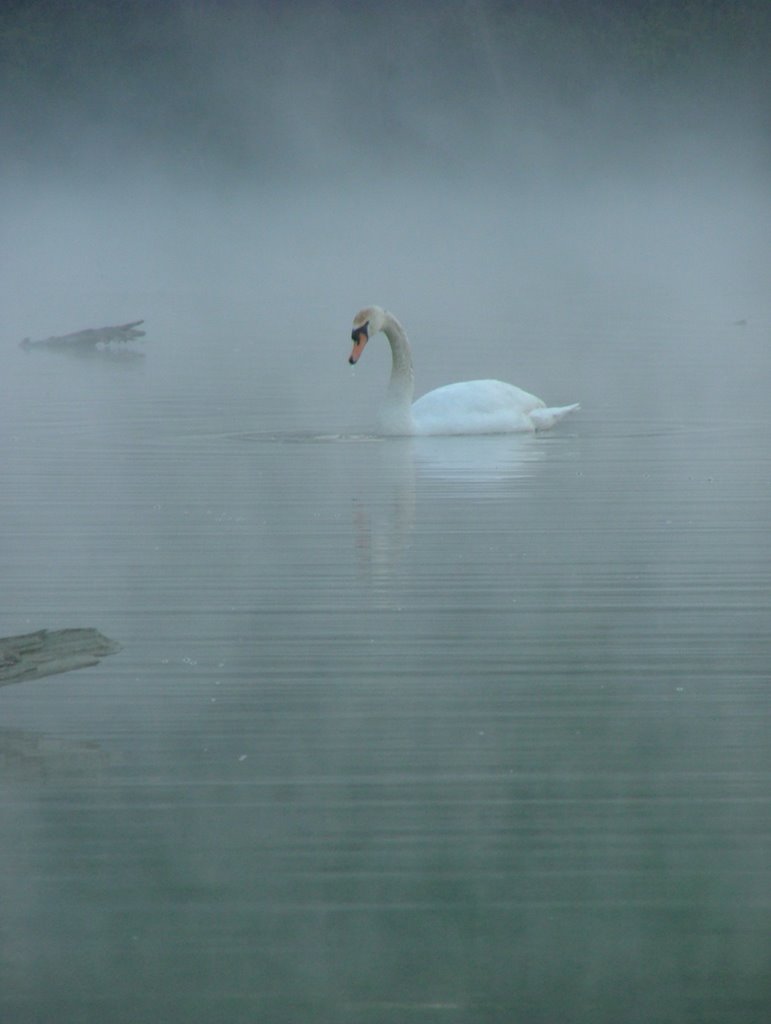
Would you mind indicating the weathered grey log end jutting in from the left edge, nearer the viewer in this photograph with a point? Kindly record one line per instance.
(33, 656)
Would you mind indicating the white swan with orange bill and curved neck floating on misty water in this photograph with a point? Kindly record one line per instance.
(468, 408)
